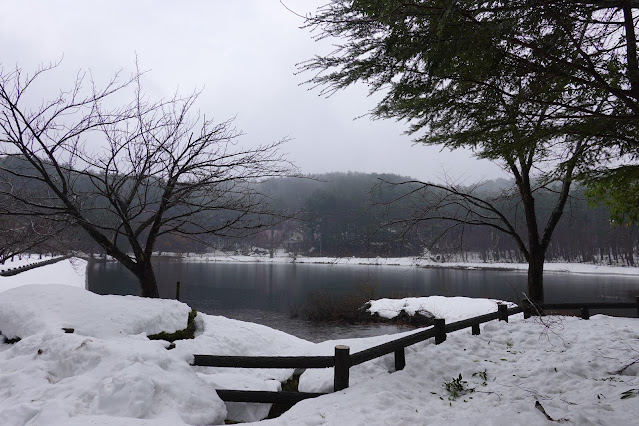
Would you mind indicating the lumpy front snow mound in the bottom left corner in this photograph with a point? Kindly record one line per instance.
(48, 378)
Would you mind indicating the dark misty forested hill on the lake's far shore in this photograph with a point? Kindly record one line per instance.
(347, 214)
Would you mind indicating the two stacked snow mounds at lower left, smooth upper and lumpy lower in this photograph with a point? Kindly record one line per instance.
(108, 367)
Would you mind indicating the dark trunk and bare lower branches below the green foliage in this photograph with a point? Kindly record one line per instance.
(514, 212)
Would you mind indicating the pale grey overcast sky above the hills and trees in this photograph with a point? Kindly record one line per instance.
(242, 53)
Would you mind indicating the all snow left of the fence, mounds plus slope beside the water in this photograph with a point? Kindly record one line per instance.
(108, 372)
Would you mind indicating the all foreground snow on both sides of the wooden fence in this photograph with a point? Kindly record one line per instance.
(109, 373)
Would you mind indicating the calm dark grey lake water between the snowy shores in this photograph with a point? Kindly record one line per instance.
(266, 293)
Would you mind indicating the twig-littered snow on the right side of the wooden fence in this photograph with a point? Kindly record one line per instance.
(570, 366)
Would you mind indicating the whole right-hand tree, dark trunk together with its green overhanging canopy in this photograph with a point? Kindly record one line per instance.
(547, 89)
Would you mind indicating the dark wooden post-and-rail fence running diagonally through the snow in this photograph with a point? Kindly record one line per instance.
(342, 361)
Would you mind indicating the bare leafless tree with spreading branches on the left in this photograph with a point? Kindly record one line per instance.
(128, 175)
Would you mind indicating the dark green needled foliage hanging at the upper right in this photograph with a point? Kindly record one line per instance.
(464, 70)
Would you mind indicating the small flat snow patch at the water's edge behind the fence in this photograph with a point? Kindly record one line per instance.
(450, 308)
